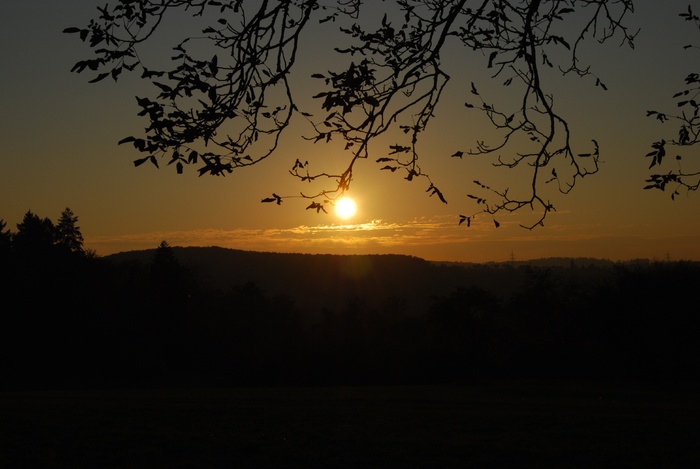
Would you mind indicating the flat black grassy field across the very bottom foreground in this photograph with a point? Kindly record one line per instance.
(488, 425)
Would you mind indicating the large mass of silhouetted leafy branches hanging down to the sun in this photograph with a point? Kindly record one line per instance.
(226, 97)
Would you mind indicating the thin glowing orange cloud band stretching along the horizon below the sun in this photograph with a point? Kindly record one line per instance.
(438, 238)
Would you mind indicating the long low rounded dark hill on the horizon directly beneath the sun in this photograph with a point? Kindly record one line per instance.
(314, 281)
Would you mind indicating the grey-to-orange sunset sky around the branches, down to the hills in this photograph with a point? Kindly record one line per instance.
(59, 139)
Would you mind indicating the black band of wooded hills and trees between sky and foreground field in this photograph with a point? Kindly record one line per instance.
(215, 316)
